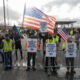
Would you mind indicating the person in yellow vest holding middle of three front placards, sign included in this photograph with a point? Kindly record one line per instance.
(50, 54)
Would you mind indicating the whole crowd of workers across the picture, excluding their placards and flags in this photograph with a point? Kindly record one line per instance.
(10, 40)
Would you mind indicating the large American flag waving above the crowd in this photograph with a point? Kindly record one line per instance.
(34, 16)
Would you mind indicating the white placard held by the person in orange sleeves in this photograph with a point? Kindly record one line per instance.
(32, 45)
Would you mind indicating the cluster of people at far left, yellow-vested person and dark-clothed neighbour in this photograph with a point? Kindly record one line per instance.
(8, 42)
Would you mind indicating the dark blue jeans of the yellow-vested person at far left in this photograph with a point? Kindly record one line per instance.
(8, 59)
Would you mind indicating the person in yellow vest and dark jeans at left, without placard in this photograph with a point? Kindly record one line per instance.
(7, 48)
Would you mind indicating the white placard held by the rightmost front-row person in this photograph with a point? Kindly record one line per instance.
(71, 50)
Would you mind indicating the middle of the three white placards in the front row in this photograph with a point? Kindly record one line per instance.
(50, 50)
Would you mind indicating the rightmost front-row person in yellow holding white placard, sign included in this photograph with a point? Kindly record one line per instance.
(70, 54)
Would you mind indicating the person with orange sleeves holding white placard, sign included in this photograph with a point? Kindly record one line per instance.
(31, 46)
